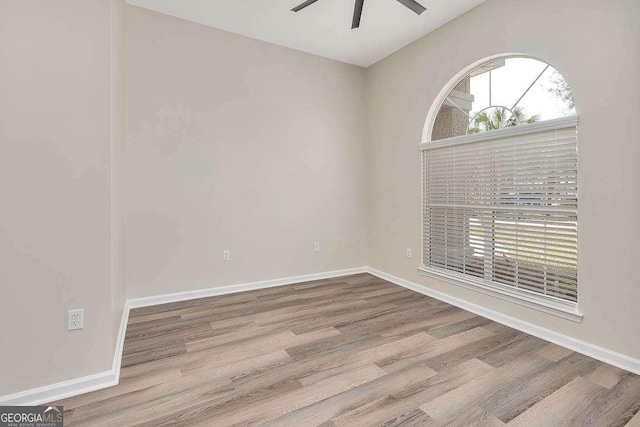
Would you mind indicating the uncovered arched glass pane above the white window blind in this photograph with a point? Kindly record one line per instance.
(500, 93)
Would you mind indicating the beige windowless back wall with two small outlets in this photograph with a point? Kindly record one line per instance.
(237, 144)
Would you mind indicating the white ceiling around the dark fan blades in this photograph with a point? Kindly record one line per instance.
(323, 28)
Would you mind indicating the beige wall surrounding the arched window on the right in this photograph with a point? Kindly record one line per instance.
(596, 48)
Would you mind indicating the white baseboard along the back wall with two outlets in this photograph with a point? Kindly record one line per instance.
(231, 289)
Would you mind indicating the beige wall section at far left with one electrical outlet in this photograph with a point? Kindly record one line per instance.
(55, 190)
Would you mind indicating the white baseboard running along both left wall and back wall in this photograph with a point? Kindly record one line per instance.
(77, 386)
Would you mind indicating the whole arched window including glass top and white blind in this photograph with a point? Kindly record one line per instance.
(500, 194)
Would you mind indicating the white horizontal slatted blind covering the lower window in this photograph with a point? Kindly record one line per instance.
(501, 209)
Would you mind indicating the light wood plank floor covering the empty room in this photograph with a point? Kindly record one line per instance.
(352, 351)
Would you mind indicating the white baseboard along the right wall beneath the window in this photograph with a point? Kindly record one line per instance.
(608, 356)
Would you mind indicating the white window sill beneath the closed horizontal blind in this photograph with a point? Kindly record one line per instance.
(565, 310)
